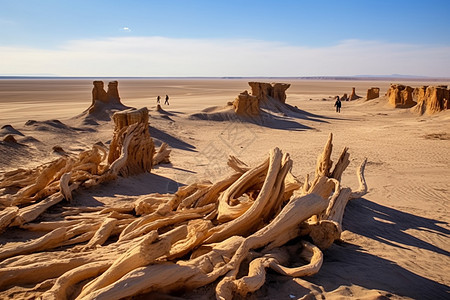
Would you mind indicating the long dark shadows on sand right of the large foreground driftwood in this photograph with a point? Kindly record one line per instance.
(347, 264)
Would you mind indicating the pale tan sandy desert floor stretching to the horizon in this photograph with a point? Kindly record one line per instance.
(396, 241)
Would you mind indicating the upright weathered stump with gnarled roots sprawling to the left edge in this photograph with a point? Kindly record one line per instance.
(131, 152)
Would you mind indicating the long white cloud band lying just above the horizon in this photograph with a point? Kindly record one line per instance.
(160, 56)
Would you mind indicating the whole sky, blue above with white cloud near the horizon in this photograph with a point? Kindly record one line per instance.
(232, 38)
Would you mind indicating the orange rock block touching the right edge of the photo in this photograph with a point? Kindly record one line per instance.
(431, 99)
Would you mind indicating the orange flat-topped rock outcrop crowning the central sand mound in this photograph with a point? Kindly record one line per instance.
(262, 95)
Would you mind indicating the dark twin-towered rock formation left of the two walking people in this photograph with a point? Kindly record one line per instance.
(102, 100)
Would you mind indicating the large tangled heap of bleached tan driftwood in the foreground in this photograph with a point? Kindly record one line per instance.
(248, 216)
